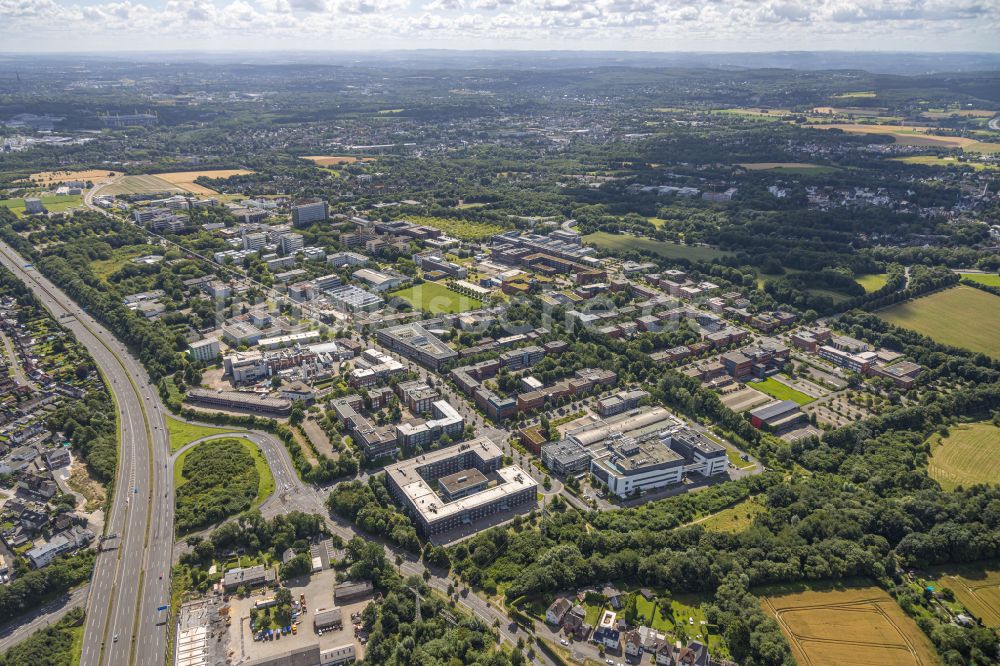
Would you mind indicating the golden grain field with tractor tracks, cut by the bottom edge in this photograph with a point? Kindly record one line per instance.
(849, 626)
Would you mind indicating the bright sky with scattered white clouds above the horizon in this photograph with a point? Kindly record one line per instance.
(650, 25)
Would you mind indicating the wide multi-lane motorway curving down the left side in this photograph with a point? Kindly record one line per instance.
(131, 576)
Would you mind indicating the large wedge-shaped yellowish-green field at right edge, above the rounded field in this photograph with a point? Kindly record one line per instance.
(936, 316)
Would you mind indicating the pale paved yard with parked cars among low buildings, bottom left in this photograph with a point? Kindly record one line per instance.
(318, 590)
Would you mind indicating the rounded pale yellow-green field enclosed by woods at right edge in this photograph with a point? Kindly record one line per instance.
(970, 454)
